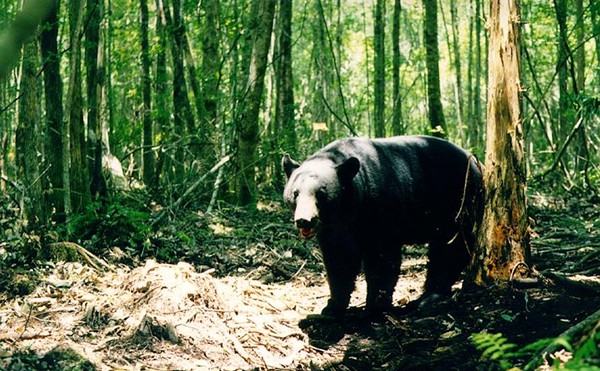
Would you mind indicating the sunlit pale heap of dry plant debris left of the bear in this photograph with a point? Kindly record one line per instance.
(164, 316)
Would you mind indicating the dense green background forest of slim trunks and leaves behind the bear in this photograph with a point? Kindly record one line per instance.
(154, 94)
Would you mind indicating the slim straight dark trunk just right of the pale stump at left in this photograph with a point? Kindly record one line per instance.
(148, 132)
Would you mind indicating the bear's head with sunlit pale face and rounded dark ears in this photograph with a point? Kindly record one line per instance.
(315, 190)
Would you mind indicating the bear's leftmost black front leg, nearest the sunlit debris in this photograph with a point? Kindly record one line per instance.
(342, 266)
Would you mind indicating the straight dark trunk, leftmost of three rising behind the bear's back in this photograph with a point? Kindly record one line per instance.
(379, 68)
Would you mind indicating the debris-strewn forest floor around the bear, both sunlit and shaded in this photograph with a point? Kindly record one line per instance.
(255, 308)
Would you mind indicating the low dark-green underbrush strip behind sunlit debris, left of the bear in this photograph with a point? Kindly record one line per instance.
(133, 228)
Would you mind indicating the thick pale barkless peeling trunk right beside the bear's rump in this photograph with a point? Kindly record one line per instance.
(503, 240)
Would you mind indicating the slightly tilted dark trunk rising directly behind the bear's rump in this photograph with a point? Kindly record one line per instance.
(432, 57)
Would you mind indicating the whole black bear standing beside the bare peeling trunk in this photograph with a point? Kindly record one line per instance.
(364, 199)
